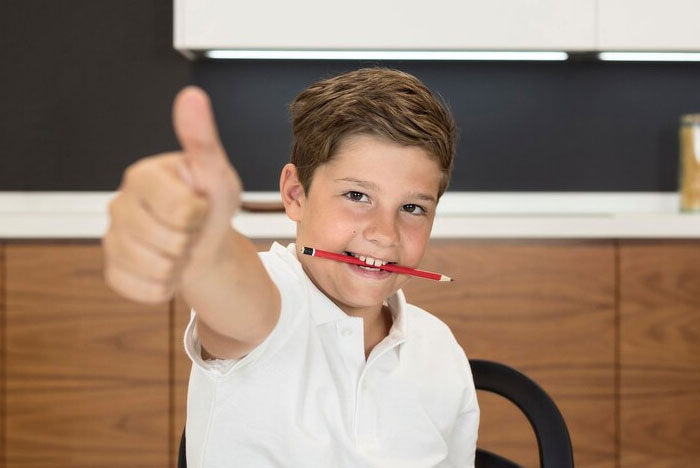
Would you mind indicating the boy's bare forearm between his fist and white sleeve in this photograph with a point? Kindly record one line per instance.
(236, 301)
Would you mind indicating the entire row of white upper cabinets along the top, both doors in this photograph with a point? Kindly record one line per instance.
(572, 25)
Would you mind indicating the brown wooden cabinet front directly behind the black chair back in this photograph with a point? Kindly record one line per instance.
(546, 308)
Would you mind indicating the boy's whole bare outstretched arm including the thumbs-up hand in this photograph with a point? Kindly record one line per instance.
(171, 230)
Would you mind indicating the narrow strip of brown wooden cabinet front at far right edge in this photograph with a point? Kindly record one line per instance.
(660, 354)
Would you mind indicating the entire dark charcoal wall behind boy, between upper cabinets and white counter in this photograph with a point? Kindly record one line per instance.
(87, 88)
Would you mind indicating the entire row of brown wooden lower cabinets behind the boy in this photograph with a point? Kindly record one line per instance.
(611, 329)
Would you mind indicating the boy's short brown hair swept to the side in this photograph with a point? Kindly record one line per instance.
(378, 101)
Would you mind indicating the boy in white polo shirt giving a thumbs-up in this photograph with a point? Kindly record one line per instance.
(301, 361)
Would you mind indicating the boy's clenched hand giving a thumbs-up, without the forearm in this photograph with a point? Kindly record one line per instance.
(171, 216)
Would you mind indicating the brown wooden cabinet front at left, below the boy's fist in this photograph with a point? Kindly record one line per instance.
(87, 372)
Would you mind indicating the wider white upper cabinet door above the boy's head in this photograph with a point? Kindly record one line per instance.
(386, 24)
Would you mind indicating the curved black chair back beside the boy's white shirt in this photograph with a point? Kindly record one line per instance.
(553, 439)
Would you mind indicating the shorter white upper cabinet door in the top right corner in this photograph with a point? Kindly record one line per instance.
(649, 25)
